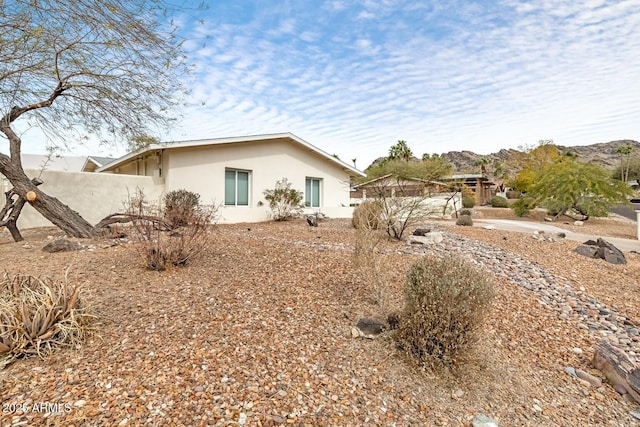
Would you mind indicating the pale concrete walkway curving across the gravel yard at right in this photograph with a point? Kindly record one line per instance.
(625, 245)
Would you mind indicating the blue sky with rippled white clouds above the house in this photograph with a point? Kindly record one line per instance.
(353, 77)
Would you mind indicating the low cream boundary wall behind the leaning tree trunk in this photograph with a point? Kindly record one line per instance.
(92, 195)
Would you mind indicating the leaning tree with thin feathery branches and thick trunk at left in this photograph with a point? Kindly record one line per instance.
(104, 67)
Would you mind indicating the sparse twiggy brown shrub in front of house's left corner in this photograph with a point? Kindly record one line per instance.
(158, 243)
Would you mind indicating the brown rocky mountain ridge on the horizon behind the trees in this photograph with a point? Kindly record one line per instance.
(603, 154)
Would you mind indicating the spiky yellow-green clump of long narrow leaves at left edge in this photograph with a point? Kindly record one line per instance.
(38, 315)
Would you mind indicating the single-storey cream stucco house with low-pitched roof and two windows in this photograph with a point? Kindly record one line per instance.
(234, 172)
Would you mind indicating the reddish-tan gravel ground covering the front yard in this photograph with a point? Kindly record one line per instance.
(257, 332)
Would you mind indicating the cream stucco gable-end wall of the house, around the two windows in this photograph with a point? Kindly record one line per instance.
(202, 170)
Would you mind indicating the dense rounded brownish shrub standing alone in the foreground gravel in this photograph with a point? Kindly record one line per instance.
(447, 302)
